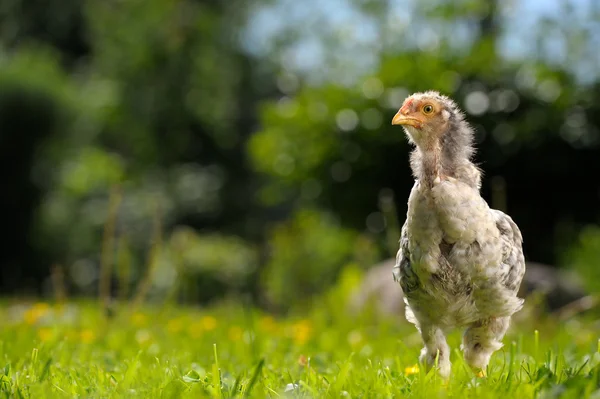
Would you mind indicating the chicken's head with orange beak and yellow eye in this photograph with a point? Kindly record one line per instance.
(426, 117)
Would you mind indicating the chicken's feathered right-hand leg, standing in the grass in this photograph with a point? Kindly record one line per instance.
(481, 340)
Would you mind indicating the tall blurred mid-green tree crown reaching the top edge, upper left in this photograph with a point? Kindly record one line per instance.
(166, 65)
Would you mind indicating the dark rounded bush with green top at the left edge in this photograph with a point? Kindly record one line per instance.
(36, 99)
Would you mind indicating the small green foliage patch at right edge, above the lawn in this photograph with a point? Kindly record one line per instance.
(584, 257)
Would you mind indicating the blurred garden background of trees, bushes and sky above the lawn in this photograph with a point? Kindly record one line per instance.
(194, 150)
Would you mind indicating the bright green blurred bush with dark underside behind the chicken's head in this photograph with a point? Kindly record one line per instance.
(332, 145)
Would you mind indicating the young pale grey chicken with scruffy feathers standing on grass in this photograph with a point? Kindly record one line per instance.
(460, 263)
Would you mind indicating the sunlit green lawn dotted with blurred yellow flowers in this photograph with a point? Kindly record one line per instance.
(227, 350)
